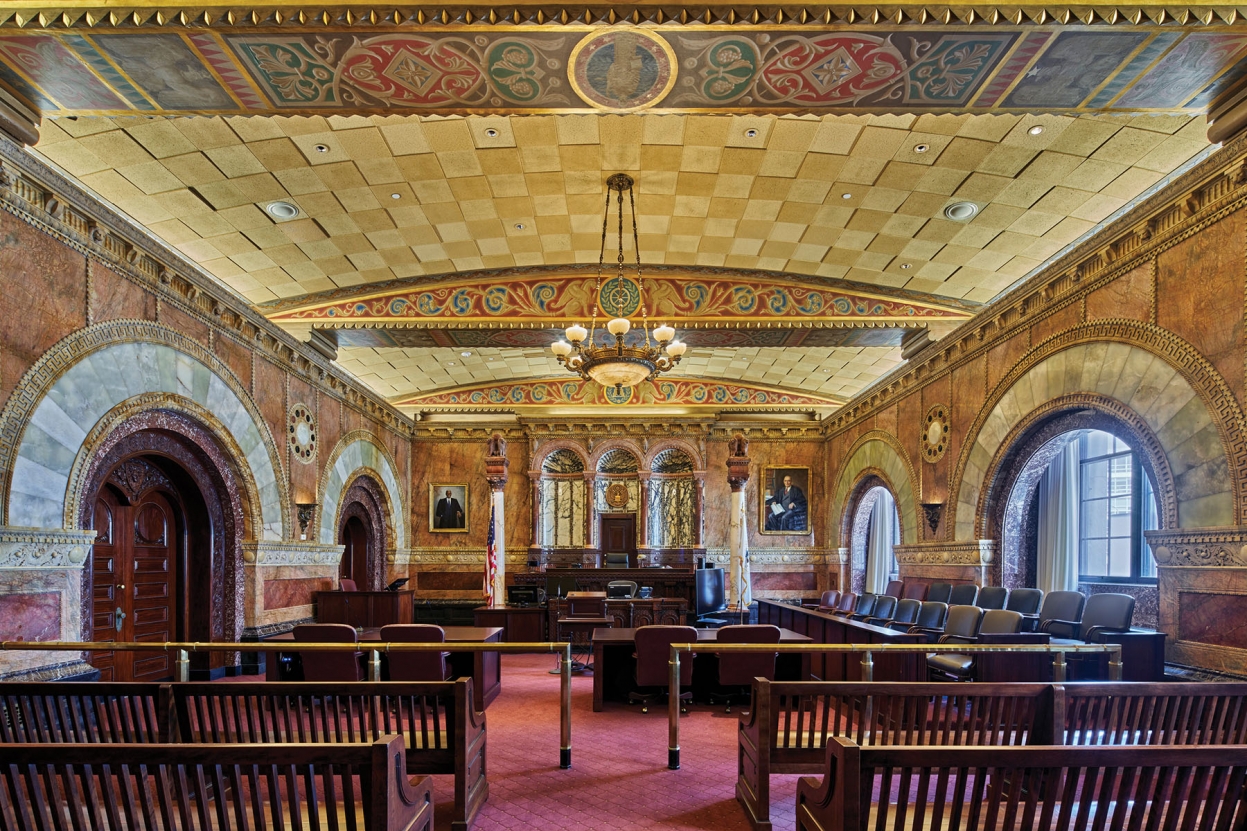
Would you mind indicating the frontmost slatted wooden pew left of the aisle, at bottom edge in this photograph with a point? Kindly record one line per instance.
(219, 788)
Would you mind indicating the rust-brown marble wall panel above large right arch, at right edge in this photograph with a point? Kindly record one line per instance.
(1201, 283)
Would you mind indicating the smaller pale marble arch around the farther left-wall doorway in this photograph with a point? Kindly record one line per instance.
(360, 454)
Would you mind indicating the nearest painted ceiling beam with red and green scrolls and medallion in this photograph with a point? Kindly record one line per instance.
(584, 69)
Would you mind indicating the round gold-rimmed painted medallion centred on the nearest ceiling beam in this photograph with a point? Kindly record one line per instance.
(623, 69)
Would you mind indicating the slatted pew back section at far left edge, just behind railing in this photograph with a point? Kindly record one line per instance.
(87, 713)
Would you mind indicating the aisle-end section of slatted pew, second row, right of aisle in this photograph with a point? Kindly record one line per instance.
(789, 724)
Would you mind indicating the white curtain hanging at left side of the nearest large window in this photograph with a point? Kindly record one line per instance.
(1058, 568)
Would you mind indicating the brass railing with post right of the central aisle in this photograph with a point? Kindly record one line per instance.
(869, 652)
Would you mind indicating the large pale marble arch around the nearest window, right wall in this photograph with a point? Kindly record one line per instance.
(1153, 376)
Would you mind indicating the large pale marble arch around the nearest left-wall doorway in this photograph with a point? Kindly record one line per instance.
(137, 366)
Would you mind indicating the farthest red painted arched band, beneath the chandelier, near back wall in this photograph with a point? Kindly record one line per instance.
(557, 392)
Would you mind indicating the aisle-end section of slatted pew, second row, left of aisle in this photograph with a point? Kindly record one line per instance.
(443, 732)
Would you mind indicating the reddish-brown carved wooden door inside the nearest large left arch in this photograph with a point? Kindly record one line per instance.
(134, 585)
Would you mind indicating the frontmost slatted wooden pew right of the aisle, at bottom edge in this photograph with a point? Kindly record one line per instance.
(1026, 789)
